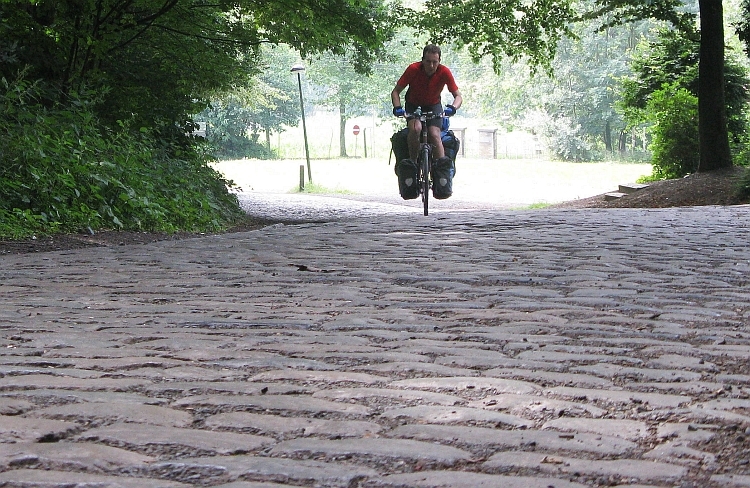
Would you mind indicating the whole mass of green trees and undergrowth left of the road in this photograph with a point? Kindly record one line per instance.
(68, 162)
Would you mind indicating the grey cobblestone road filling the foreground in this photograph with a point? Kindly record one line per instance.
(465, 349)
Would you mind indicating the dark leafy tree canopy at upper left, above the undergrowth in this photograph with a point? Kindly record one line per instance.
(160, 61)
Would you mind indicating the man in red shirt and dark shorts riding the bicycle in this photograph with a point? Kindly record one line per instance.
(426, 80)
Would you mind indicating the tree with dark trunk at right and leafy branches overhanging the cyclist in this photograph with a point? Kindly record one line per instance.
(533, 28)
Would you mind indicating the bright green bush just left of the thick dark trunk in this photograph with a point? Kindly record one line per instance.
(675, 148)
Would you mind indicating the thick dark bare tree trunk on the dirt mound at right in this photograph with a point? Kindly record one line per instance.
(712, 114)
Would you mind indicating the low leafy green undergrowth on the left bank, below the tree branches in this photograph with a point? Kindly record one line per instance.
(61, 171)
